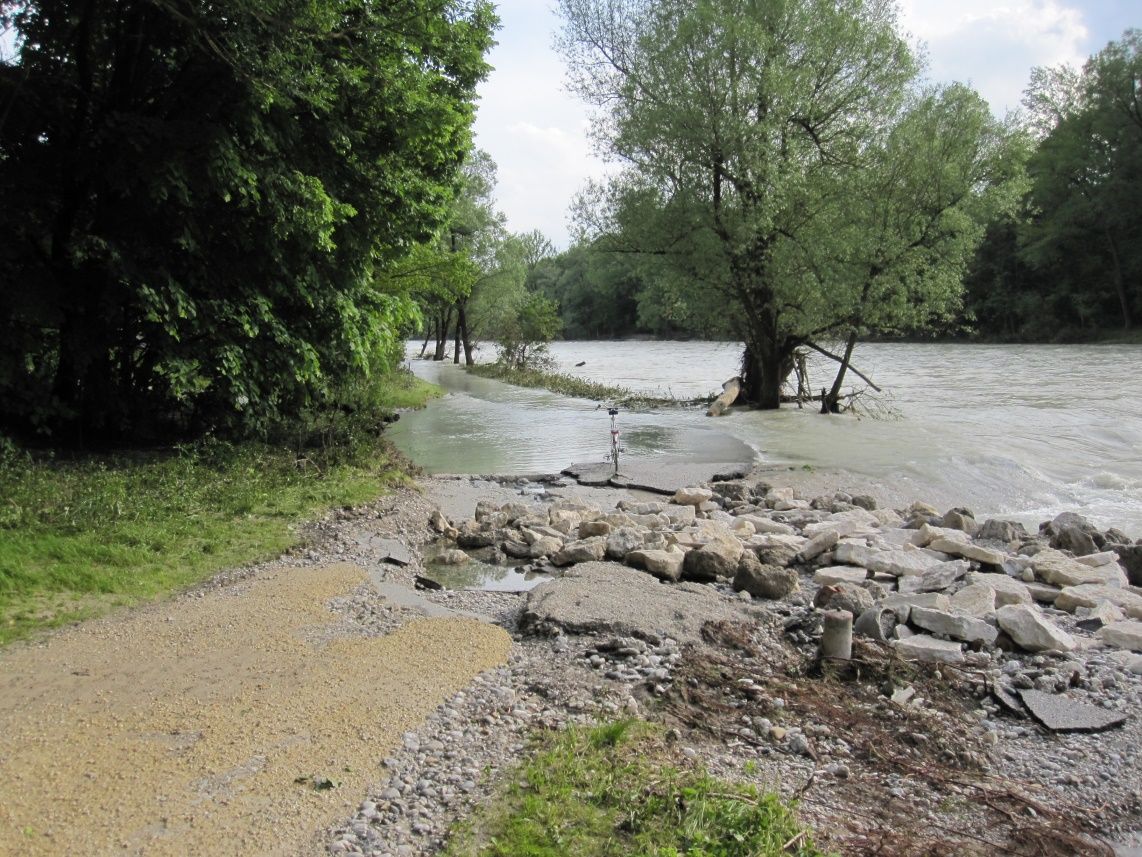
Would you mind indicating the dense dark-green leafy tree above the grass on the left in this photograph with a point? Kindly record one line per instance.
(204, 204)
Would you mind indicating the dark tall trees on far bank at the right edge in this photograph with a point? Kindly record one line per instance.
(1072, 262)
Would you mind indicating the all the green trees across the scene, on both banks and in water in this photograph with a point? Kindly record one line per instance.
(218, 217)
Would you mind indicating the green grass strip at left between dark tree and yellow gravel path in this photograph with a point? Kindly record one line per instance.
(86, 534)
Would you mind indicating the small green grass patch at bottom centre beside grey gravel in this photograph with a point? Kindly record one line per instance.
(612, 791)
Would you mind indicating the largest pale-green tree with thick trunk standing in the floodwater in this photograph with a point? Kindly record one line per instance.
(743, 127)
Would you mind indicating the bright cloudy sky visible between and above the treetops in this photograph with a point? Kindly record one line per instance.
(536, 133)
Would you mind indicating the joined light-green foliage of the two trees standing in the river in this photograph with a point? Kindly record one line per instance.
(784, 177)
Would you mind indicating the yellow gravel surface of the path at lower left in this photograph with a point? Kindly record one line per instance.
(183, 728)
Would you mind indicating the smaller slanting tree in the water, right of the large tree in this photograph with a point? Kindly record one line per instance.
(911, 220)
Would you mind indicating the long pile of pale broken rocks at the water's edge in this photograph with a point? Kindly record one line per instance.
(937, 587)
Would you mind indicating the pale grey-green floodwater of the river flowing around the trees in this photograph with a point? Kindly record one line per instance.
(1019, 431)
